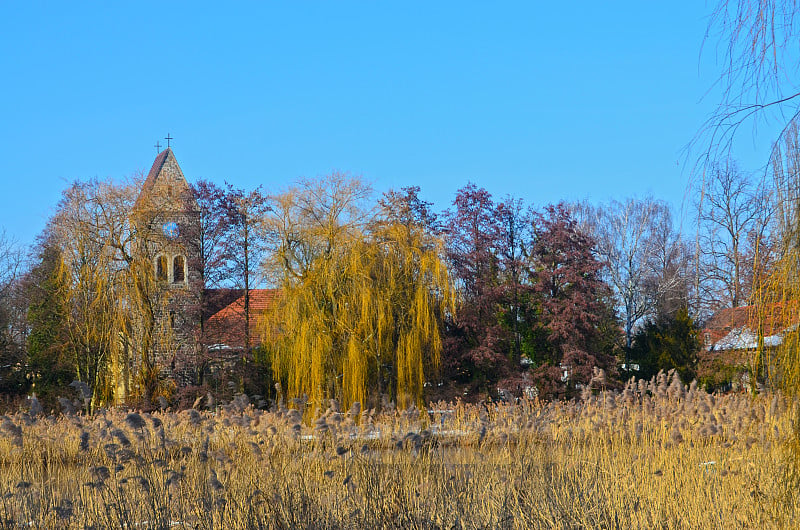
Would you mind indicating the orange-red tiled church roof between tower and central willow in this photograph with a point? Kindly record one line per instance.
(226, 327)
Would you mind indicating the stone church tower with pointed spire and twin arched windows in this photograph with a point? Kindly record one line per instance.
(166, 219)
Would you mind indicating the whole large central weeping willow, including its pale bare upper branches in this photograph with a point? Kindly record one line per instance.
(362, 295)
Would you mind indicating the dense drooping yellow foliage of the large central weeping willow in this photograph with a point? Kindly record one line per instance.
(364, 319)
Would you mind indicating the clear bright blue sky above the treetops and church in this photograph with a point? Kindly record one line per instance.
(541, 100)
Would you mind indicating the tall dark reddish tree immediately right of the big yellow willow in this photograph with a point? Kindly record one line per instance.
(486, 247)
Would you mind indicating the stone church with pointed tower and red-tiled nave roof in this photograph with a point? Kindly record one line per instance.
(194, 327)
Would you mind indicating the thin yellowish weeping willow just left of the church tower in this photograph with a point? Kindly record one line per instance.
(110, 295)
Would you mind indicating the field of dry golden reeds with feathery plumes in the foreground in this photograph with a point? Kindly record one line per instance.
(657, 455)
